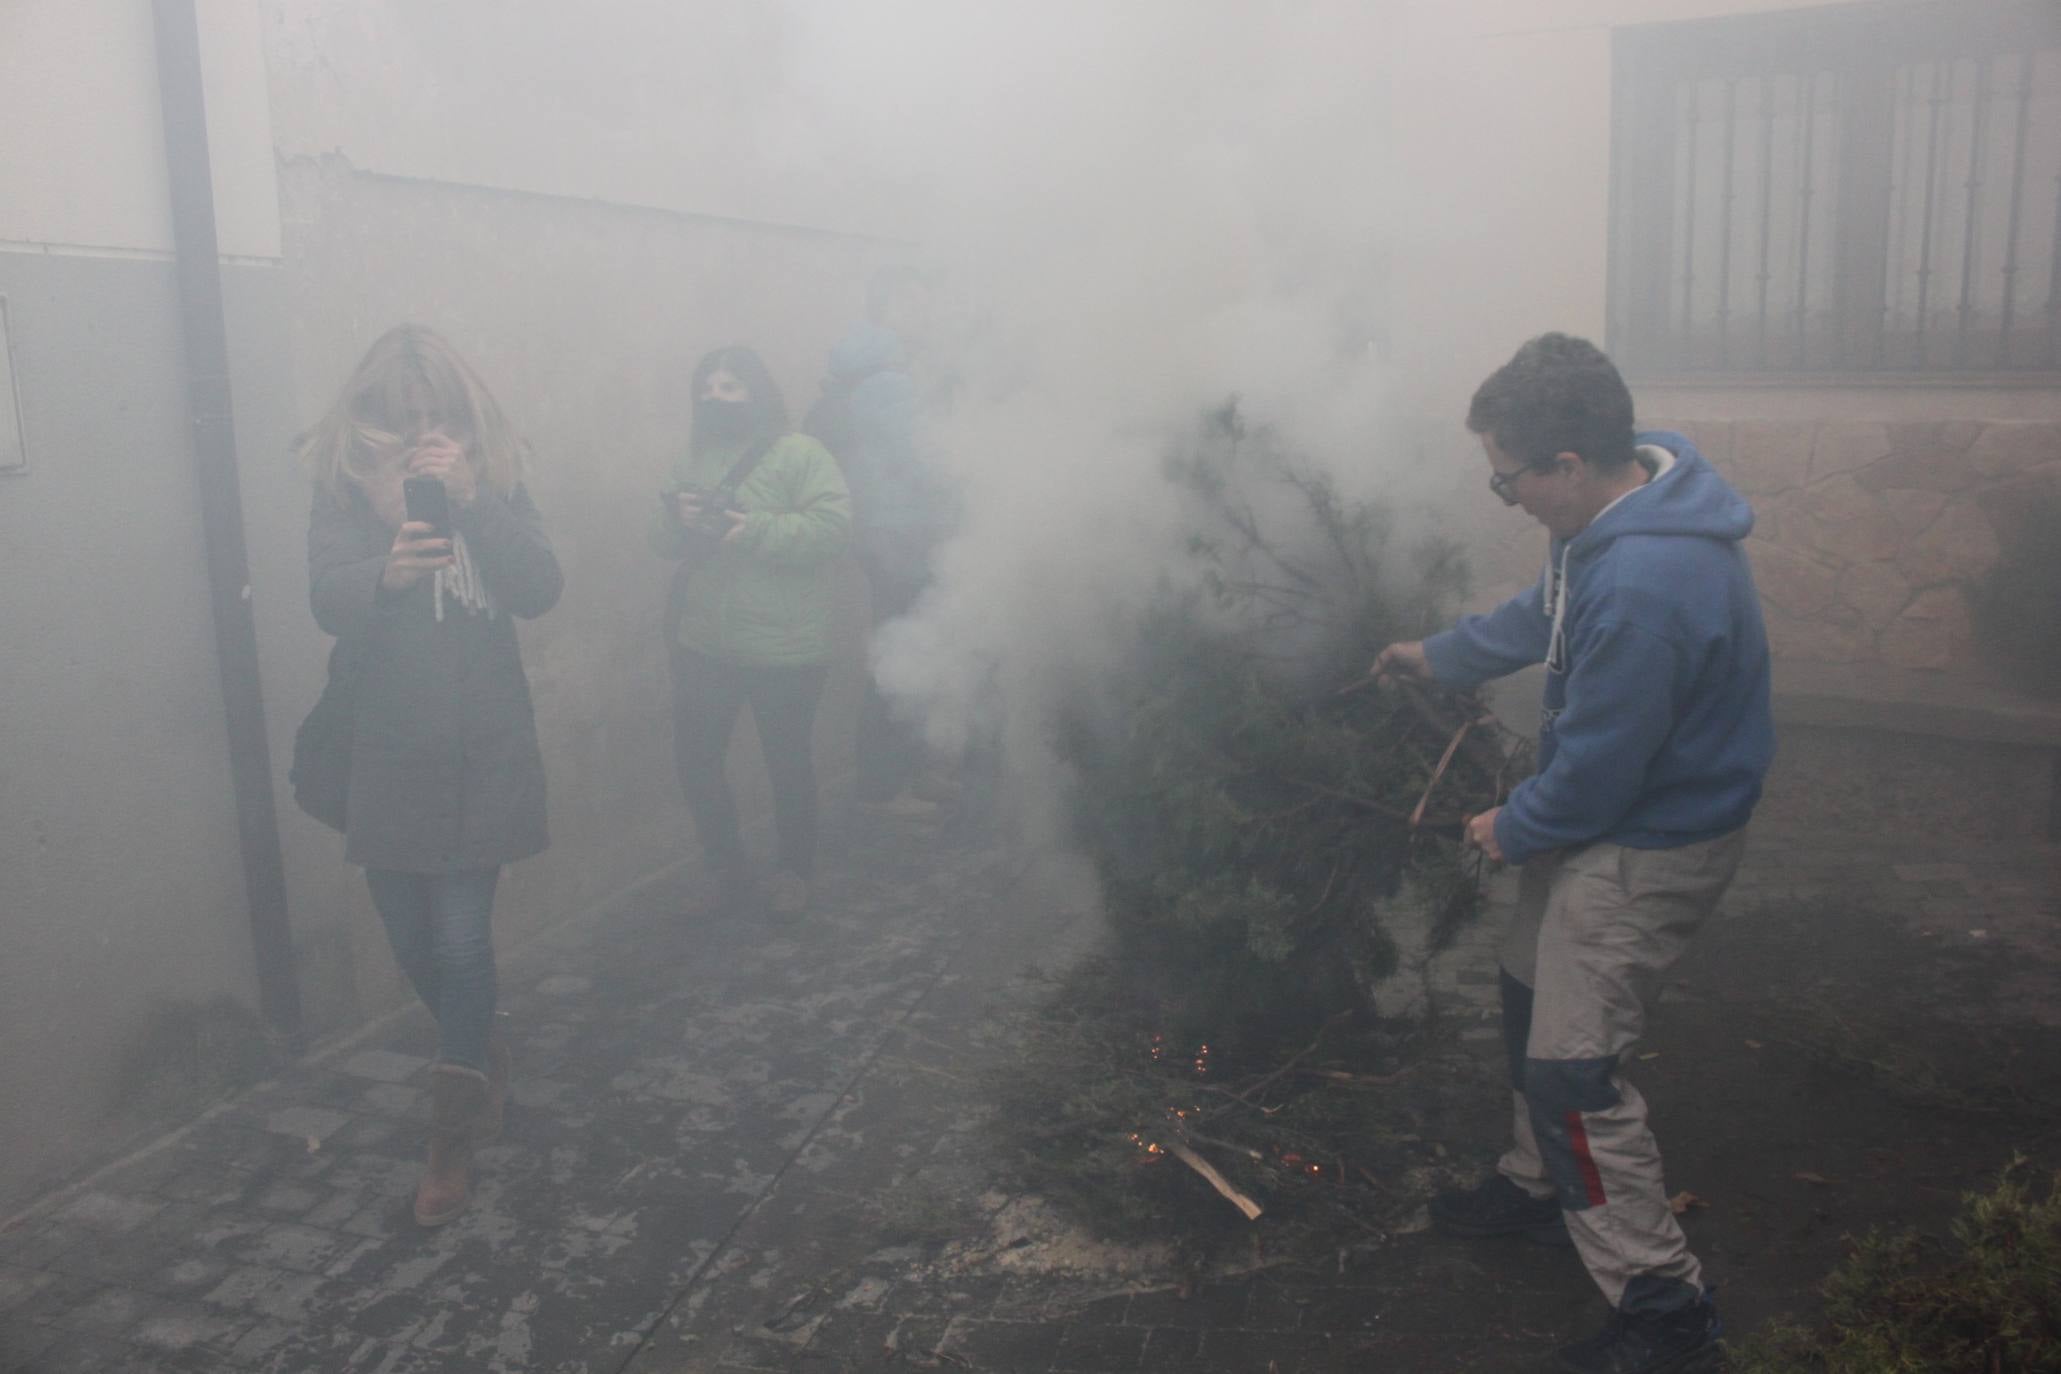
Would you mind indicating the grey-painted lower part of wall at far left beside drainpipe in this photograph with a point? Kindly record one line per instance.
(125, 901)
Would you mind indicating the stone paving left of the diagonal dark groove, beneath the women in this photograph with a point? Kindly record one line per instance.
(669, 1074)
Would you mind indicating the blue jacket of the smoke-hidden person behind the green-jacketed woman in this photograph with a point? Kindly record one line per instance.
(896, 493)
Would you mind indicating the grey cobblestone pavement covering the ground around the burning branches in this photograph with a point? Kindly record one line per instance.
(737, 1146)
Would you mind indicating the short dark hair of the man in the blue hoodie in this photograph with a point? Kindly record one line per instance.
(1557, 397)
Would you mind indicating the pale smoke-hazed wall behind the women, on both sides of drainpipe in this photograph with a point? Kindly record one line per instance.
(580, 207)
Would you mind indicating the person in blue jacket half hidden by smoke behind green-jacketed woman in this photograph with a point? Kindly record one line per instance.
(871, 417)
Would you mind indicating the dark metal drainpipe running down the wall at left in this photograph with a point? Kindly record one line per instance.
(222, 508)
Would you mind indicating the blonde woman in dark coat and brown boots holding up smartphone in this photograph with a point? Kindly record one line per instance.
(446, 782)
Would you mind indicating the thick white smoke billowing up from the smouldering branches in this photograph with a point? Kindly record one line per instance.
(1141, 209)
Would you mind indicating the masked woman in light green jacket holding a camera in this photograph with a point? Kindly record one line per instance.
(755, 516)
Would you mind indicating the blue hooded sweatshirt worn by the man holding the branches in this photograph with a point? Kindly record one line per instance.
(1656, 726)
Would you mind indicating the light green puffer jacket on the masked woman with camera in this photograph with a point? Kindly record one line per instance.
(766, 596)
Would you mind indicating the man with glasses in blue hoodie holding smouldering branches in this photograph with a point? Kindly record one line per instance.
(1654, 743)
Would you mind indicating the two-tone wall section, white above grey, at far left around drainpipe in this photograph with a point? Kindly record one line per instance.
(119, 846)
